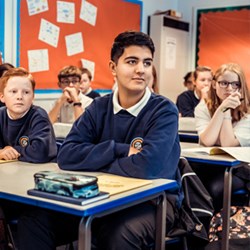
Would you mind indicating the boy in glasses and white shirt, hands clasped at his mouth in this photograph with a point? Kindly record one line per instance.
(72, 102)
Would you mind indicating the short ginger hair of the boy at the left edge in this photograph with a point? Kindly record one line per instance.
(13, 72)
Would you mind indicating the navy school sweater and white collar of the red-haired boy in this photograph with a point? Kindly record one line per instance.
(32, 135)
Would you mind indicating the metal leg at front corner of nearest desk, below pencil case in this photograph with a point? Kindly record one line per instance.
(84, 234)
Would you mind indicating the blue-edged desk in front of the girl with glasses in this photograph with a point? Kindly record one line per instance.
(229, 163)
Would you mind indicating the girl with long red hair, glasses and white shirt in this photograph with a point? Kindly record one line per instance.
(224, 119)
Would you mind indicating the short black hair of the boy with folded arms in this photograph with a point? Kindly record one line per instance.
(130, 38)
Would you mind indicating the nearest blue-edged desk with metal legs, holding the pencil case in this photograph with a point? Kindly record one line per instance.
(17, 177)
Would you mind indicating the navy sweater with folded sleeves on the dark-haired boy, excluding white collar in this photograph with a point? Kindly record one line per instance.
(95, 143)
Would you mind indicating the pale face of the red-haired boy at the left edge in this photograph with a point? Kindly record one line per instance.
(18, 96)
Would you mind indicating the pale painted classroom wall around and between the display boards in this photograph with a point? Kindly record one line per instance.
(187, 8)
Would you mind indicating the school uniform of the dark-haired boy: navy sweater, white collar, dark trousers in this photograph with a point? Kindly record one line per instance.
(99, 141)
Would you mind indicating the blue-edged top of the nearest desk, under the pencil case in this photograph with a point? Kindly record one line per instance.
(17, 177)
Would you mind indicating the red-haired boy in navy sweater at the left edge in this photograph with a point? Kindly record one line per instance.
(26, 133)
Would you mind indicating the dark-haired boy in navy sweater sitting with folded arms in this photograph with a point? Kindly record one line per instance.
(131, 132)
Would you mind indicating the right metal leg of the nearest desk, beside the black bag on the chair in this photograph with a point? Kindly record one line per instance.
(161, 222)
